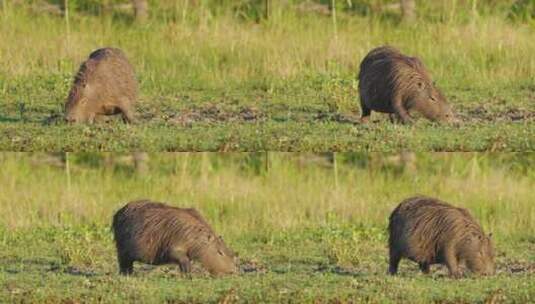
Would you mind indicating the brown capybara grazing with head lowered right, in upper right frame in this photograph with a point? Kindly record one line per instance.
(391, 82)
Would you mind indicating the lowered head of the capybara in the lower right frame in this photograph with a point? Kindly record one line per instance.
(478, 253)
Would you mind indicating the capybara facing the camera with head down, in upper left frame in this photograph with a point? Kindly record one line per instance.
(104, 85)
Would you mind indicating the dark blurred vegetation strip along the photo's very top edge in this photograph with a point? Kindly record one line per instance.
(255, 10)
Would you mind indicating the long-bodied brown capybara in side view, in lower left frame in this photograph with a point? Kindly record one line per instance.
(155, 233)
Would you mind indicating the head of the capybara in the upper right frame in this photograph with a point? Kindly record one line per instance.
(429, 100)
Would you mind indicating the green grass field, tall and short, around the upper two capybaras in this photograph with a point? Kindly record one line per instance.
(213, 81)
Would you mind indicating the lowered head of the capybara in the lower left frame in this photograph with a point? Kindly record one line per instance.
(217, 257)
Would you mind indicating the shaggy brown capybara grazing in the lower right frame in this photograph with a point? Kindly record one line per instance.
(429, 231)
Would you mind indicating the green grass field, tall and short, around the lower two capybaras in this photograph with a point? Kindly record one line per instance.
(305, 230)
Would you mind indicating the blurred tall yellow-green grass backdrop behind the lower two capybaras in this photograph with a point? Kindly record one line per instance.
(263, 192)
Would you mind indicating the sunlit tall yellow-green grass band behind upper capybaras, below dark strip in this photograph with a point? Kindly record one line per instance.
(484, 52)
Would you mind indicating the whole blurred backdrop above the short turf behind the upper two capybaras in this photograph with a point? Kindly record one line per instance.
(262, 44)
